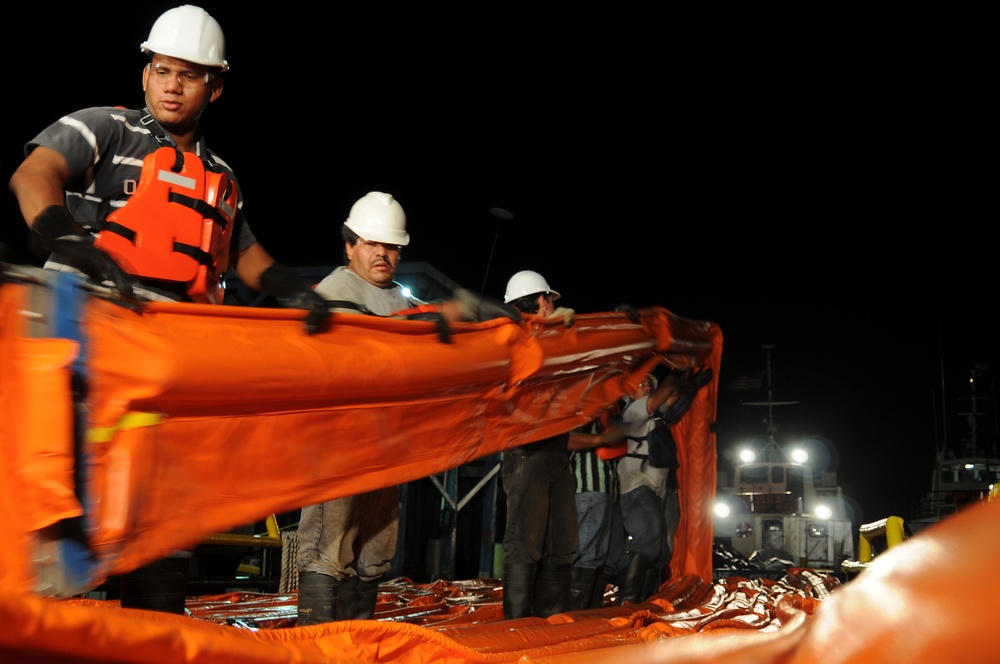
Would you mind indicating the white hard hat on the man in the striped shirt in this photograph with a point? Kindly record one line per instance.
(188, 33)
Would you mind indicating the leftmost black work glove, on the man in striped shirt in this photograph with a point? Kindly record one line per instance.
(63, 236)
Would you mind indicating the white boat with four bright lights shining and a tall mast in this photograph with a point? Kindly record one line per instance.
(775, 510)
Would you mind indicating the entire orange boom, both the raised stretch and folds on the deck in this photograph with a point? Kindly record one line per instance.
(207, 411)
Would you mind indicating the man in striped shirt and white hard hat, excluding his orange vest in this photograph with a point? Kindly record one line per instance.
(87, 165)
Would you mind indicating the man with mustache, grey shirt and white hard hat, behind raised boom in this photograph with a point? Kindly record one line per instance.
(346, 545)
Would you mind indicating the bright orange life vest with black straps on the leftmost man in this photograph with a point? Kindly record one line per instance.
(177, 226)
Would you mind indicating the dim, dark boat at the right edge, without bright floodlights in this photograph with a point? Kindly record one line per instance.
(966, 471)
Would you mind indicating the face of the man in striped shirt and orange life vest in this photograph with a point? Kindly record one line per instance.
(178, 91)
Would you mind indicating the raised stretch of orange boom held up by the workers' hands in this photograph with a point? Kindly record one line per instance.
(201, 417)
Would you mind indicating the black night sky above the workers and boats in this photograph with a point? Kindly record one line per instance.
(819, 194)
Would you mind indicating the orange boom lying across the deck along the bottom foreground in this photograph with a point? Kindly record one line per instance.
(920, 602)
